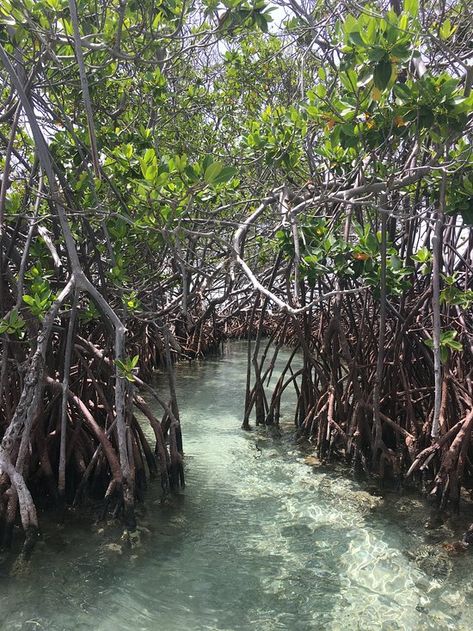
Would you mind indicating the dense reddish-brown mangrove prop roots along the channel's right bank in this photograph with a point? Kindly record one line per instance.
(333, 381)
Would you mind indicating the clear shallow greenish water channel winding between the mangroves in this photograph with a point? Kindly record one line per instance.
(258, 540)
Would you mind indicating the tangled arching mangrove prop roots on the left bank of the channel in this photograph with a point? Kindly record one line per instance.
(94, 464)
